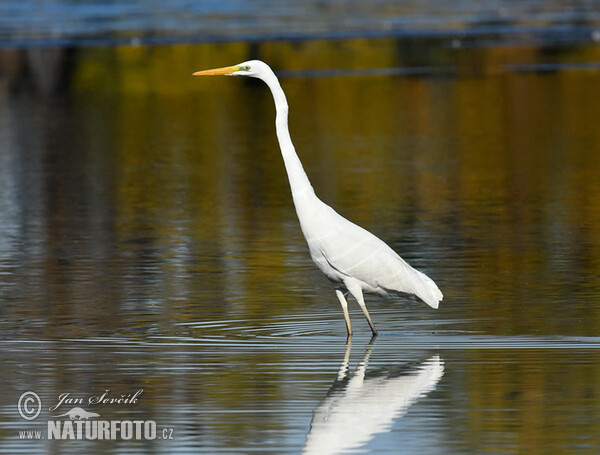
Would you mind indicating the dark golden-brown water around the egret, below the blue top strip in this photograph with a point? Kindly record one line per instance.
(149, 242)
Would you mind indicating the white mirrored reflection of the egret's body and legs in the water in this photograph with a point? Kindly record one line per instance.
(359, 405)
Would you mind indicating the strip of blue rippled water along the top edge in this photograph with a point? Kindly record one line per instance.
(66, 23)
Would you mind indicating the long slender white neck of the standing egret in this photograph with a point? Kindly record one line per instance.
(299, 183)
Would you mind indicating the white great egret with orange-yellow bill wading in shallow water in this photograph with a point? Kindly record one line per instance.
(352, 258)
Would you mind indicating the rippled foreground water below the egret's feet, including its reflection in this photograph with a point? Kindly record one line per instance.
(292, 392)
